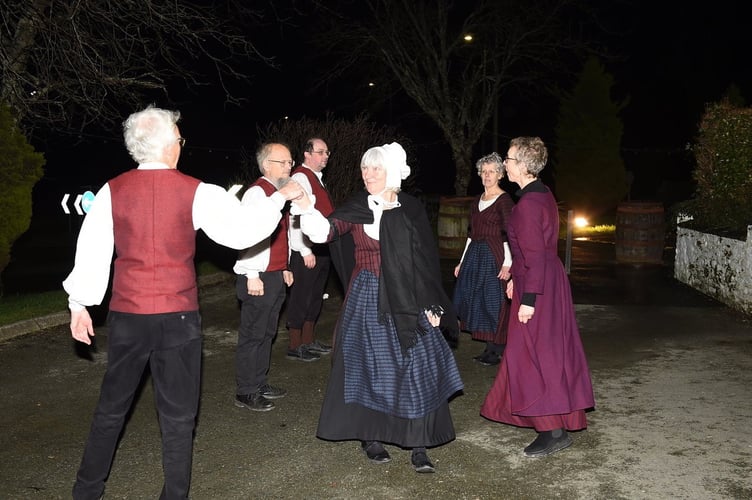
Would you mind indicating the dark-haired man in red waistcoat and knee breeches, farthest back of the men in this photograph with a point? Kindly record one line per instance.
(309, 262)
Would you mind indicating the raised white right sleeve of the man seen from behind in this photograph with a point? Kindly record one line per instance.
(232, 224)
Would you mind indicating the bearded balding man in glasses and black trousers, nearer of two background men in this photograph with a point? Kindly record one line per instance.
(262, 277)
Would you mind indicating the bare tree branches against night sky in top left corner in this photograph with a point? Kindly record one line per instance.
(74, 63)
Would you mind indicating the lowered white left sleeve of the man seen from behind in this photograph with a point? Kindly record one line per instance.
(87, 282)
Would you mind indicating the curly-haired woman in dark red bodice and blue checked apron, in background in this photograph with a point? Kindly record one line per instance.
(482, 274)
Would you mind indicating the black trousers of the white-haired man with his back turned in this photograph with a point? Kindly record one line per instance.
(171, 344)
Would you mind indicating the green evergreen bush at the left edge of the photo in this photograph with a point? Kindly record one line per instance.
(20, 168)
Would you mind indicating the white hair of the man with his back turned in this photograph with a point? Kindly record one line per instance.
(148, 132)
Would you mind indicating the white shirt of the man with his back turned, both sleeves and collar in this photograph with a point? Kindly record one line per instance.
(215, 211)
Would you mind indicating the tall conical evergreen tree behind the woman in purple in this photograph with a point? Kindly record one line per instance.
(590, 174)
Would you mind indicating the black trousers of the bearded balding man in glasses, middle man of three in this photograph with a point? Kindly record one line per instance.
(259, 318)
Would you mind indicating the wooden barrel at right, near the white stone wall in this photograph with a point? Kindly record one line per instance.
(640, 232)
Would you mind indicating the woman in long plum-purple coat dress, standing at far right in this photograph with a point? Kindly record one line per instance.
(543, 380)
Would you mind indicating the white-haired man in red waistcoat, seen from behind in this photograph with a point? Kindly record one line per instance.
(150, 216)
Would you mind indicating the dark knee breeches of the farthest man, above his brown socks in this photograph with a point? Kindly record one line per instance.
(307, 290)
